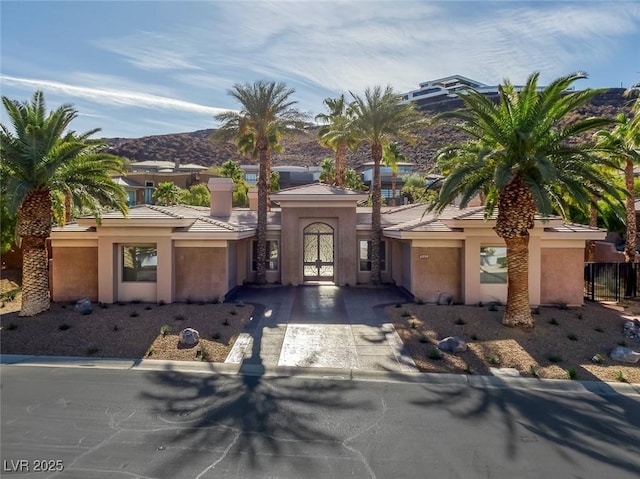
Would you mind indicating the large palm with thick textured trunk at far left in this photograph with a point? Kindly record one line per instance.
(44, 161)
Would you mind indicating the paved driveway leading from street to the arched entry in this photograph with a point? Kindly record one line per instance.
(321, 326)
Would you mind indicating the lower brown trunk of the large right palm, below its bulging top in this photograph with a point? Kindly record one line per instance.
(518, 312)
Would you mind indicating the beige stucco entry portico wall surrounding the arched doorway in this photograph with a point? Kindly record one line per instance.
(341, 219)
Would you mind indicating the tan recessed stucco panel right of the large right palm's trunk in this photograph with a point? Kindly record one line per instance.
(562, 271)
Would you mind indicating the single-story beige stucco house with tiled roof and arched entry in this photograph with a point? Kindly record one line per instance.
(316, 233)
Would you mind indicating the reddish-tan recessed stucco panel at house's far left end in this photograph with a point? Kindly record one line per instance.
(74, 273)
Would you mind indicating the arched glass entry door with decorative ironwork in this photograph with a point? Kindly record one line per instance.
(318, 252)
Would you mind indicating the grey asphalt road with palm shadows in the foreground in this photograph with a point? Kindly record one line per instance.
(98, 423)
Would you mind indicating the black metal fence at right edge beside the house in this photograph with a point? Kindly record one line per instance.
(610, 281)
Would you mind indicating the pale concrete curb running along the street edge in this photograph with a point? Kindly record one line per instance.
(256, 369)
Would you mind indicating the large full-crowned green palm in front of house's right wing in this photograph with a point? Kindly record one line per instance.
(522, 150)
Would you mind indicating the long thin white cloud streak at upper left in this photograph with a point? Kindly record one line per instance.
(113, 97)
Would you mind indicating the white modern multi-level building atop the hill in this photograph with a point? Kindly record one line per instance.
(447, 88)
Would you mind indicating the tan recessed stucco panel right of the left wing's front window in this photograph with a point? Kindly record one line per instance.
(201, 273)
